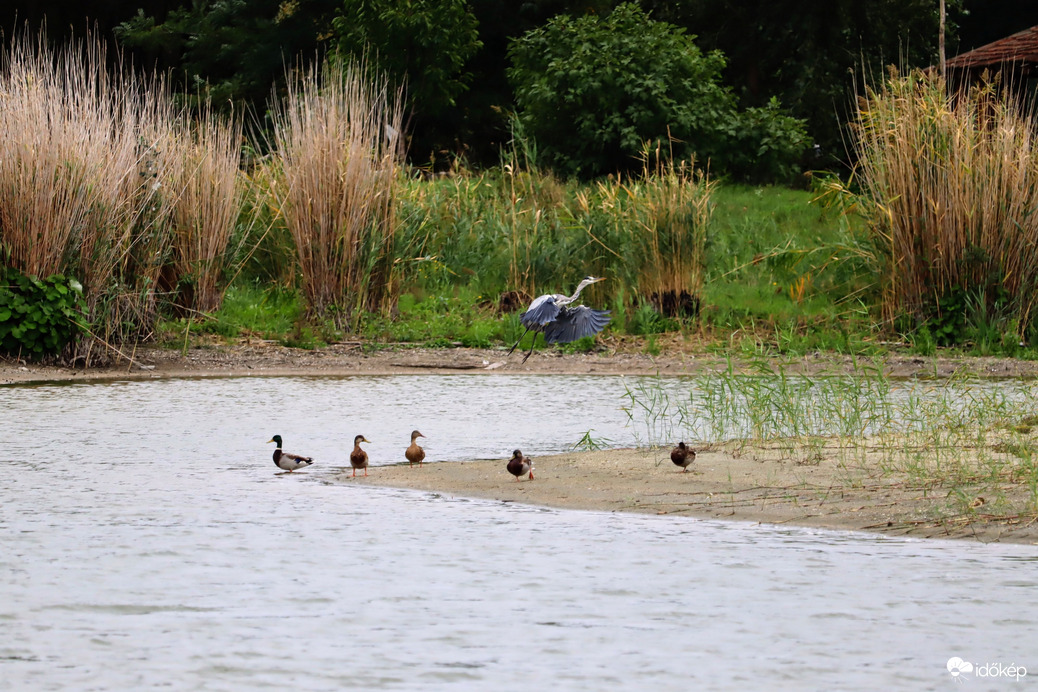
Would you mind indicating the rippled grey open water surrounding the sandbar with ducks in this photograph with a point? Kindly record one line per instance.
(147, 542)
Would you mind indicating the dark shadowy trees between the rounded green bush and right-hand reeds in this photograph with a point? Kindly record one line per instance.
(811, 54)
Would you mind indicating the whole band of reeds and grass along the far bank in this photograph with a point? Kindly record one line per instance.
(323, 234)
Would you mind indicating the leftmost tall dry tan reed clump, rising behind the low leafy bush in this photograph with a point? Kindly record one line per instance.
(78, 168)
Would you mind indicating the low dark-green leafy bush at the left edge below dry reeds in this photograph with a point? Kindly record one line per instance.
(39, 318)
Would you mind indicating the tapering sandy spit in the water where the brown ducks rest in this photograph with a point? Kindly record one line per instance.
(725, 483)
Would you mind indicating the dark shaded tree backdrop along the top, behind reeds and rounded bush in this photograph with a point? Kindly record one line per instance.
(805, 54)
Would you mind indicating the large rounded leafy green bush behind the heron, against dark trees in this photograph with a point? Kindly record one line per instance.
(593, 92)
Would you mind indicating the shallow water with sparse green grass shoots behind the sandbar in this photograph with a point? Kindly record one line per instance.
(970, 446)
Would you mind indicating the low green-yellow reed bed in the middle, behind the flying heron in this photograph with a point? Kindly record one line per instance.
(542, 235)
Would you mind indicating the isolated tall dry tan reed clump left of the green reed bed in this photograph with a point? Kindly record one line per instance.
(338, 151)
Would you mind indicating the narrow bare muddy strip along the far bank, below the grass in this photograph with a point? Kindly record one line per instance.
(616, 358)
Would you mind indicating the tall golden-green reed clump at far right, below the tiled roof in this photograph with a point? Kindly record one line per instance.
(951, 189)
